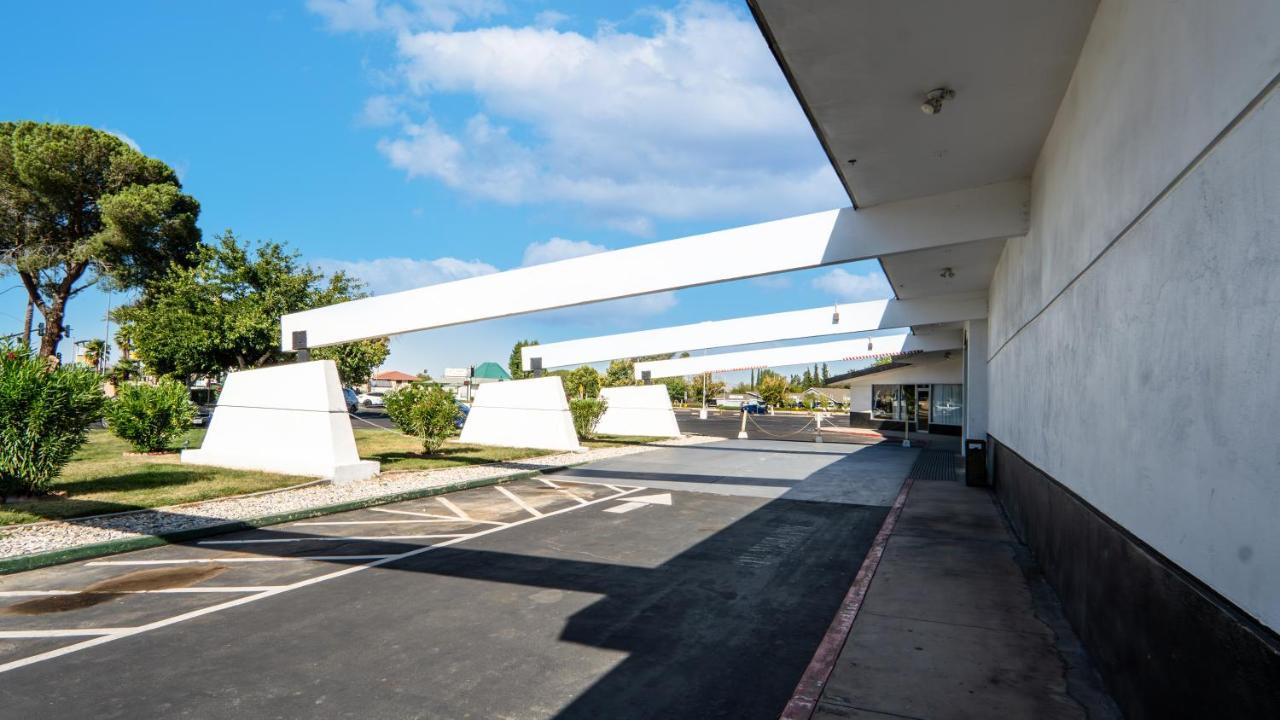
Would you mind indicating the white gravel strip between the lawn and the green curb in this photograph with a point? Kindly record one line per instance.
(24, 548)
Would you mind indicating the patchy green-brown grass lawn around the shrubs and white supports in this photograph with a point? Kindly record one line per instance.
(100, 479)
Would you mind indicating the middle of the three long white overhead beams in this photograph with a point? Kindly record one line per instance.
(794, 325)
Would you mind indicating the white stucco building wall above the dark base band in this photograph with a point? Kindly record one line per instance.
(1136, 329)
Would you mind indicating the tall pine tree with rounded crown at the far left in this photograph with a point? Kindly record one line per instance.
(80, 207)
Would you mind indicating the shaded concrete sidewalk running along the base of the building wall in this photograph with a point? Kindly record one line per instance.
(958, 622)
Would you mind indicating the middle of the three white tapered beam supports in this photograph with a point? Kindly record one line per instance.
(522, 414)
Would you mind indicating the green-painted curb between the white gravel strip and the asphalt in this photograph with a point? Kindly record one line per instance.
(36, 560)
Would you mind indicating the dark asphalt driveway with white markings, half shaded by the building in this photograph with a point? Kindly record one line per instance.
(652, 589)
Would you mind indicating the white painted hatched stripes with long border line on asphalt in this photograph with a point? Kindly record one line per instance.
(97, 636)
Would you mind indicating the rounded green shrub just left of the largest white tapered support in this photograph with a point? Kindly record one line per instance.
(150, 418)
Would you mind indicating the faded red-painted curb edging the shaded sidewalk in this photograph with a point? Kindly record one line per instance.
(804, 700)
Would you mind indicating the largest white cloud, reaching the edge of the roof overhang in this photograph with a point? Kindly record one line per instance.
(691, 120)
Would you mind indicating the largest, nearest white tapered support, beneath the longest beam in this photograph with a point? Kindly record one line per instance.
(287, 420)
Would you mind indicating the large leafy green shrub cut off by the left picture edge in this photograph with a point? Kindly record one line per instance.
(45, 413)
